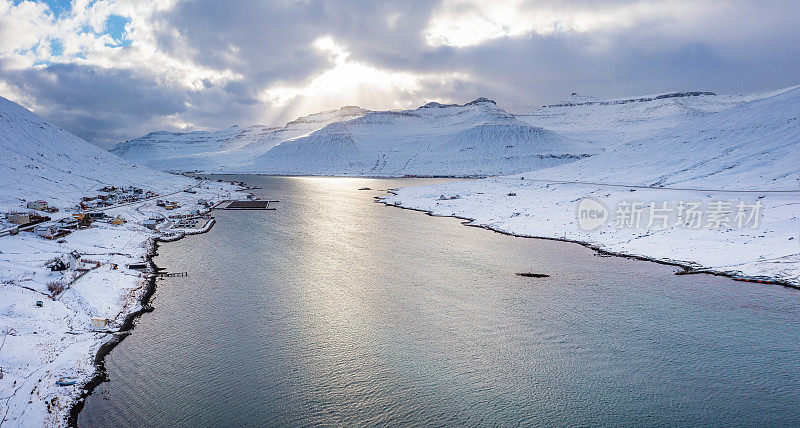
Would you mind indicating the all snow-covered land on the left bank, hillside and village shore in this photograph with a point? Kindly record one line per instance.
(41, 344)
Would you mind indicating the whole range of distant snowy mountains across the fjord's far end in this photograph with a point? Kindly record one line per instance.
(477, 138)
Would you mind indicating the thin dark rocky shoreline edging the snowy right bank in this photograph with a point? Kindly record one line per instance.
(689, 268)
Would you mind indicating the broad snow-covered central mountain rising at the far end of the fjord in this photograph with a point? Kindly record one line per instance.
(477, 138)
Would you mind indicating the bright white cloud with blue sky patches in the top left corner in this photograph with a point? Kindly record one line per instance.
(28, 29)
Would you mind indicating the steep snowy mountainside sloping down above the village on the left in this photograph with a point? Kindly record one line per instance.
(39, 160)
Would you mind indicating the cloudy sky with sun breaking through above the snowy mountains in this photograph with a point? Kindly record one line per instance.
(112, 70)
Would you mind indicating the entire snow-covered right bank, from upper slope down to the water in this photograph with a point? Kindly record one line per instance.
(736, 155)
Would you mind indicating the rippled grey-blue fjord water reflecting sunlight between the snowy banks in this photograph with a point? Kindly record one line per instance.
(336, 310)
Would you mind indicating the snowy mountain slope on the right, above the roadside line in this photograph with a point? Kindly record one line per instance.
(754, 145)
